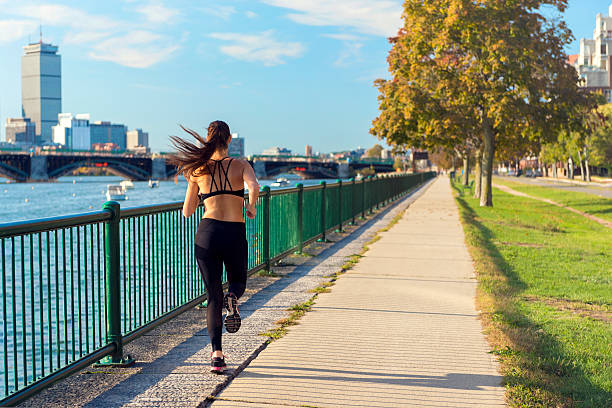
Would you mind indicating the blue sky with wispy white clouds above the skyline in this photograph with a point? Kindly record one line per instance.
(279, 72)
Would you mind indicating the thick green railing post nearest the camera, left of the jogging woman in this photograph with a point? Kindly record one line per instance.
(113, 288)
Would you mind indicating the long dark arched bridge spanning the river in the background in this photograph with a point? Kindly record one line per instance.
(22, 166)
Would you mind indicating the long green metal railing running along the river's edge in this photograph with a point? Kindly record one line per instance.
(75, 289)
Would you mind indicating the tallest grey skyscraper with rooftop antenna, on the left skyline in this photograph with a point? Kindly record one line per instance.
(41, 88)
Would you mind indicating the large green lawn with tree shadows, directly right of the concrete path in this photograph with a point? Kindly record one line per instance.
(545, 290)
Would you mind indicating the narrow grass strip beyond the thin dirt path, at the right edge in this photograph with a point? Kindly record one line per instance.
(589, 203)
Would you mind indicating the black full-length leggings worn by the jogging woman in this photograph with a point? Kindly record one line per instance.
(217, 243)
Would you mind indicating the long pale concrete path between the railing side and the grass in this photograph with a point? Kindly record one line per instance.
(399, 330)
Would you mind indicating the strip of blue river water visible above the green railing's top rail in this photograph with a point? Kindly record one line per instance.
(72, 195)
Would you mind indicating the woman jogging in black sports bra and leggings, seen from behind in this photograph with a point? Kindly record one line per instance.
(218, 181)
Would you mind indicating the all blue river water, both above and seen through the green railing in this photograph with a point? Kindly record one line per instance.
(45, 289)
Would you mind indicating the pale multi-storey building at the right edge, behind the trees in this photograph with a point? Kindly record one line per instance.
(593, 62)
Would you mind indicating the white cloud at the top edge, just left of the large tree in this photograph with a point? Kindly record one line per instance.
(377, 17)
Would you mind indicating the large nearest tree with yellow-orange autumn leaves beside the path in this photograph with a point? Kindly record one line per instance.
(491, 73)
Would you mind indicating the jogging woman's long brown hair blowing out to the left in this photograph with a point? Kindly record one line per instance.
(191, 159)
